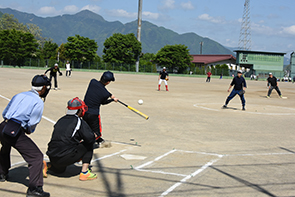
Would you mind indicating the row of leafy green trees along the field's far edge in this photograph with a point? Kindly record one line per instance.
(20, 41)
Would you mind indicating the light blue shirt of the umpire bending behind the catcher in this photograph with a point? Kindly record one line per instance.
(26, 107)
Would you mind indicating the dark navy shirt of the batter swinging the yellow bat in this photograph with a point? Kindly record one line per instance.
(95, 96)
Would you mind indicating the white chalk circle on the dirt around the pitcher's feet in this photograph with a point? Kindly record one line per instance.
(199, 105)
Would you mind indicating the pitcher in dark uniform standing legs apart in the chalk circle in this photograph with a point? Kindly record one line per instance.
(239, 84)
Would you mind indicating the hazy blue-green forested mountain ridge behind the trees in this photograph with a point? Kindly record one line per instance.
(94, 26)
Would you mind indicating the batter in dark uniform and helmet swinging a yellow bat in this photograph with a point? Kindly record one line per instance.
(97, 95)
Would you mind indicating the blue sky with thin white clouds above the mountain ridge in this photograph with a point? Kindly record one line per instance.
(272, 21)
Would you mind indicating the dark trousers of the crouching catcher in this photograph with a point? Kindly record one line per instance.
(84, 152)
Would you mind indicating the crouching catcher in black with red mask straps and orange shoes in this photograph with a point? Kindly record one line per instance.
(72, 139)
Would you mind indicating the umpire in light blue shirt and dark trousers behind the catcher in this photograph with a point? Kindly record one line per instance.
(21, 115)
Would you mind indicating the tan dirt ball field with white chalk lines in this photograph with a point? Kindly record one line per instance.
(188, 147)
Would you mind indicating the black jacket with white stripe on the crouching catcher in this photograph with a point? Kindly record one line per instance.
(62, 142)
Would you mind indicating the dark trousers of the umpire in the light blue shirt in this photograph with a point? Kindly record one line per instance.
(28, 150)
